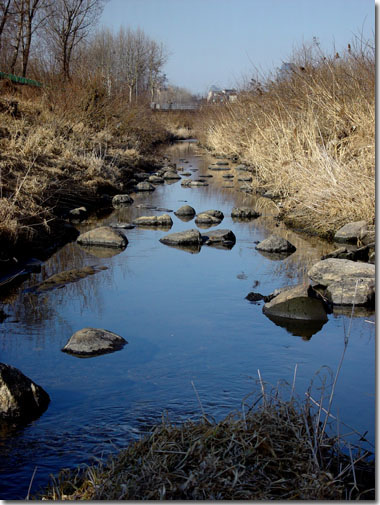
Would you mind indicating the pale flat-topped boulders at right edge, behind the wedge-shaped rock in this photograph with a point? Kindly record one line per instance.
(347, 282)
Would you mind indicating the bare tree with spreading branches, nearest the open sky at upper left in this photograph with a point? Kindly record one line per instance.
(68, 24)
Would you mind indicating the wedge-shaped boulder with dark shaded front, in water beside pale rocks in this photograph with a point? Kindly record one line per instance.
(299, 302)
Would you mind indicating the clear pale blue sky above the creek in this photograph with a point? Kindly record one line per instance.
(223, 41)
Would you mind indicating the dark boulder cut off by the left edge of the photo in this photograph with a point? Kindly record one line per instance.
(20, 398)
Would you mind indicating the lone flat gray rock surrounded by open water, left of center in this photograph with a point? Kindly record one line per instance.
(93, 342)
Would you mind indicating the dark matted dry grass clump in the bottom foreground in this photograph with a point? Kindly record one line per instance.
(275, 450)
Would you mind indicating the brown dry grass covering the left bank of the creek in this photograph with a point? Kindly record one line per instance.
(63, 146)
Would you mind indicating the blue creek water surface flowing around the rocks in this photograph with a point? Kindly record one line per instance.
(188, 327)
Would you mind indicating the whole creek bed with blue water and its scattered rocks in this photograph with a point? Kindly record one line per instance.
(191, 280)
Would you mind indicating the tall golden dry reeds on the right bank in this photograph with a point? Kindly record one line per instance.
(310, 138)
